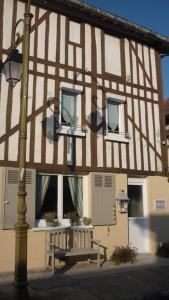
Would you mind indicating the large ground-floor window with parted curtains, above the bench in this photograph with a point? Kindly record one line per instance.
(60, 194)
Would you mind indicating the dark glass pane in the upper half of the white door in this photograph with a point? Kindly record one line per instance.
(135, 195)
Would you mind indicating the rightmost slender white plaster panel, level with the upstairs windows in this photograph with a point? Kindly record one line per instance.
(157, 128)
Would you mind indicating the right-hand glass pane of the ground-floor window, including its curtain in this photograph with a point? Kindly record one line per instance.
(72, 195)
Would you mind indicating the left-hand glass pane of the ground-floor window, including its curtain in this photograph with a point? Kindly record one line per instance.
(46, 195)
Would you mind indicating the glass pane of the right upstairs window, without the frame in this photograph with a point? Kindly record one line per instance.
(113, 117)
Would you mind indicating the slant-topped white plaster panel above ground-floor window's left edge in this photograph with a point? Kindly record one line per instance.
(38, 137)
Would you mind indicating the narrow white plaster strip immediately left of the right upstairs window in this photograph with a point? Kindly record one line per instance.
(100, 132)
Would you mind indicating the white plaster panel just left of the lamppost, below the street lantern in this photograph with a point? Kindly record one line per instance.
(16, 105)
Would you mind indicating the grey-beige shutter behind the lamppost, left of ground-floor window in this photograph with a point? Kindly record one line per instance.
(10, 197)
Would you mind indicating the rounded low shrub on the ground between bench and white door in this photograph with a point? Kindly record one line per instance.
(124, 254)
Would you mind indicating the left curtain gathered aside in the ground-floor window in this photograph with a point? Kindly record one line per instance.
(42, 186)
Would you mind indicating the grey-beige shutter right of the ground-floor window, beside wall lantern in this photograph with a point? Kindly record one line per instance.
(103, 199)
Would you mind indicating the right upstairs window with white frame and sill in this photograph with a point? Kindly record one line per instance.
(115, 130)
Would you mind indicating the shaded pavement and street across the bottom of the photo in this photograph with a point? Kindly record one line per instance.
(147, 280)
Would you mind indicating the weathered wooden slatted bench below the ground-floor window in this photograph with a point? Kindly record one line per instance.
(69, 242)
